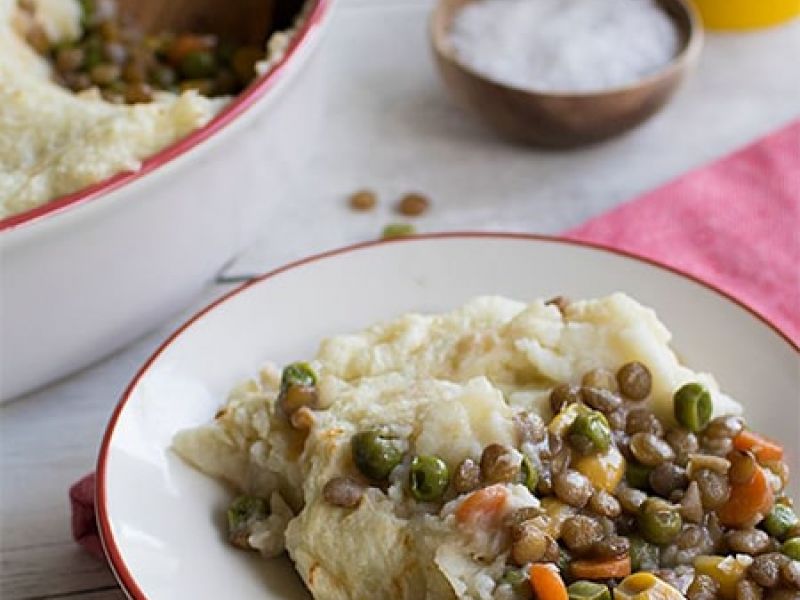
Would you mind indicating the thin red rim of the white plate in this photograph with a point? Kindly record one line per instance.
(113, 553)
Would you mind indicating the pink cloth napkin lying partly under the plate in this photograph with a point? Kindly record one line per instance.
(735, 224)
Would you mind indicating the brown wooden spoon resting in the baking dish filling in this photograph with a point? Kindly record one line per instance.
(246, 21)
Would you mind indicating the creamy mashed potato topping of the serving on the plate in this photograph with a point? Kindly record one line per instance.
(446, 386)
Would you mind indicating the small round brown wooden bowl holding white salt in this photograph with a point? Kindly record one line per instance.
(564, 120)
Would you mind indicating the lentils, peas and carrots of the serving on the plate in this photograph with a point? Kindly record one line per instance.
(630, 506)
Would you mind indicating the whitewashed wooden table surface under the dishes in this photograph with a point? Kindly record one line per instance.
(387, 124)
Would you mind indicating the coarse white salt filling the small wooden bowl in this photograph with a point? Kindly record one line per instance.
(564, 45)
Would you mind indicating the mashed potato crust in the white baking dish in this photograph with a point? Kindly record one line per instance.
(53, 141)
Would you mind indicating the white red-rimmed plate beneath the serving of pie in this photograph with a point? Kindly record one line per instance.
(162, 522)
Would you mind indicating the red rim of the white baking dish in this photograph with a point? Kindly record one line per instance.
(236, 107)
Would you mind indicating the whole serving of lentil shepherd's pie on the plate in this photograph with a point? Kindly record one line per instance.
(555, 450)
